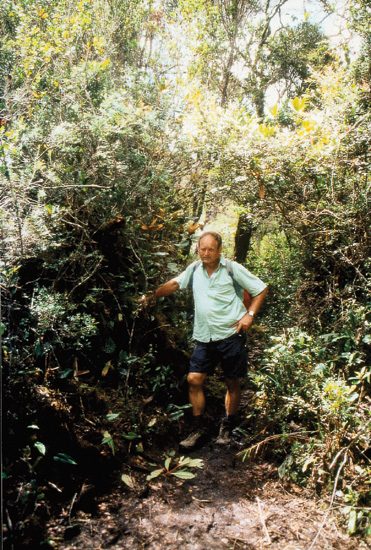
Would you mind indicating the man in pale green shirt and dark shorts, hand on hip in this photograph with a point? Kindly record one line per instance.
(221, 322)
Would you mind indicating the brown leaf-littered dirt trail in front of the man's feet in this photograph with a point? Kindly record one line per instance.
(228, 505)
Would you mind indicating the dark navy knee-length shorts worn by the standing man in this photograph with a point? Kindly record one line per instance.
(229, 352)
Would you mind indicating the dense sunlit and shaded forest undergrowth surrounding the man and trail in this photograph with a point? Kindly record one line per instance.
(112, 160)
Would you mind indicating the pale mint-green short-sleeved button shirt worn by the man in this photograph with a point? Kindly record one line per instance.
(217, 305)
